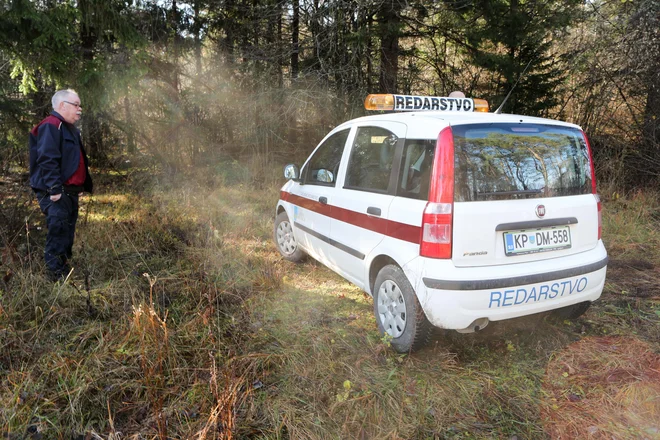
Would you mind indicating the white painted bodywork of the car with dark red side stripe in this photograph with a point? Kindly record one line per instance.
(480, 280)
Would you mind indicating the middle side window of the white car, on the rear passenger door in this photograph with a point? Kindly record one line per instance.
(372, 155)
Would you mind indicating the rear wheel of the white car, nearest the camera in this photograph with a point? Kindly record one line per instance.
(398, 312)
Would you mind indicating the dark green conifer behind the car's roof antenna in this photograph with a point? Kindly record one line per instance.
(504, 36)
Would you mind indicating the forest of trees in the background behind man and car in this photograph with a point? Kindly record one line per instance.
(193, 81)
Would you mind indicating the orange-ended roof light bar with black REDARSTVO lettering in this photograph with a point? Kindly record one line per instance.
(424, 103)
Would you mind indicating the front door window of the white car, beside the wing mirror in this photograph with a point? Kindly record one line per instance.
(323, 166)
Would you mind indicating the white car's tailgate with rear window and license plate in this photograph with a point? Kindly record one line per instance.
(522, 193)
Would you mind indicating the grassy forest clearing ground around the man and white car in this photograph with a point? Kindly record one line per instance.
(181, 321)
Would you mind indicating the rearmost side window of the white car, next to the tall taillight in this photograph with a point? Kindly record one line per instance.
(416, 169)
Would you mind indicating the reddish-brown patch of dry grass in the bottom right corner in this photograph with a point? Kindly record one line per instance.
(601, 388)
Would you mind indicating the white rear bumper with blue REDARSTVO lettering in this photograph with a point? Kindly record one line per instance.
(454, 298)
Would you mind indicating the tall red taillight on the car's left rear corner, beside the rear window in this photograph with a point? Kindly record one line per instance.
(436, 234)
